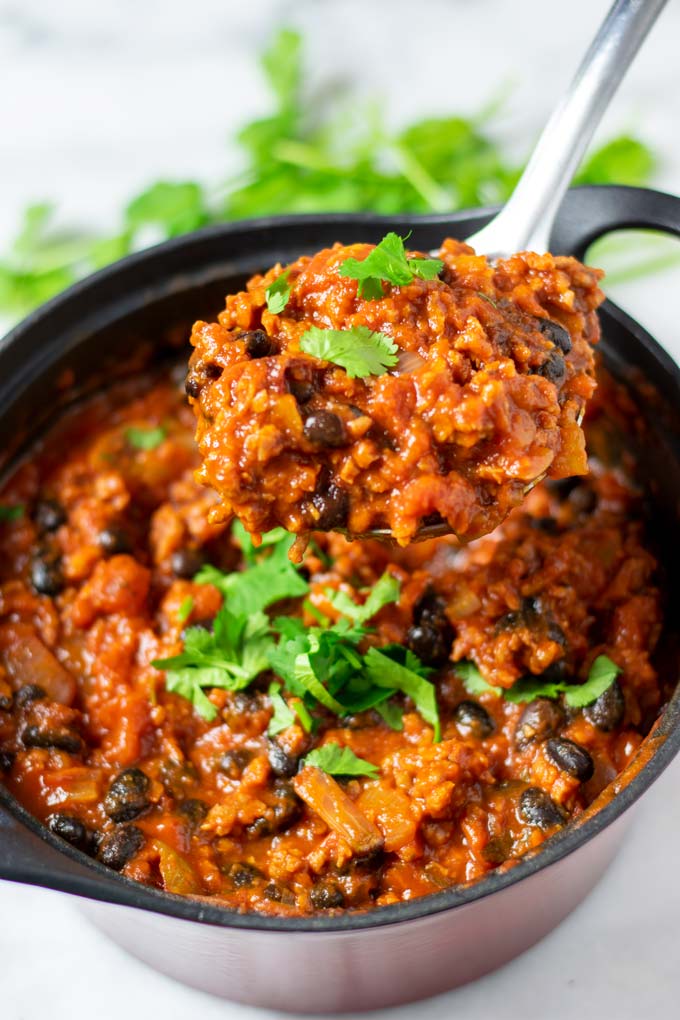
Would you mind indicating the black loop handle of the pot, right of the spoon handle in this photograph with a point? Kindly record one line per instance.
(589, 214)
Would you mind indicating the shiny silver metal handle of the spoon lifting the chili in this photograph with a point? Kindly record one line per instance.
(527, 221)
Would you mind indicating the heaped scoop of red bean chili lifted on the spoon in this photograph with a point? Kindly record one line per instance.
(495, 369)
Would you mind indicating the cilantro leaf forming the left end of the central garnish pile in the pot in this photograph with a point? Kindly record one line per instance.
(230, 657)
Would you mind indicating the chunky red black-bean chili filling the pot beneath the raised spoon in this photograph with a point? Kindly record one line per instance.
(222, 809)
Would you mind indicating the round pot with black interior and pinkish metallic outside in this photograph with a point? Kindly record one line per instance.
(394, 954)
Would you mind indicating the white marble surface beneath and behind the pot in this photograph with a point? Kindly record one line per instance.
(98, 99)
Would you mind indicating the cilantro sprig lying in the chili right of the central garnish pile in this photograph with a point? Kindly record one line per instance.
(602, 676)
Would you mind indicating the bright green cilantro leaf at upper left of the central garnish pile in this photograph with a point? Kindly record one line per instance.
(251, 591)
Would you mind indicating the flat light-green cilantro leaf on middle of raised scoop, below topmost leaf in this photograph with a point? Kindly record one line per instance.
(359, 351)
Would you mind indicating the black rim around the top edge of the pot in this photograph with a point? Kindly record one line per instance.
(94, 881)
